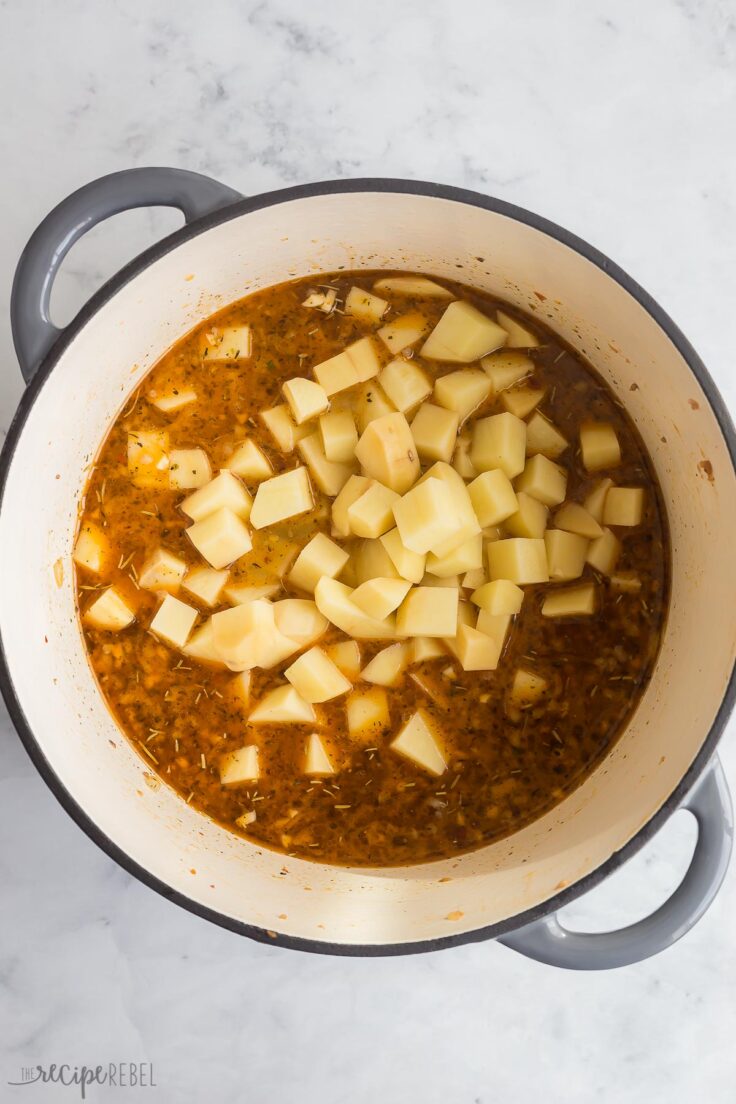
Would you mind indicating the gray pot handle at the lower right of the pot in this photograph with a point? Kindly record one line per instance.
(549, 942)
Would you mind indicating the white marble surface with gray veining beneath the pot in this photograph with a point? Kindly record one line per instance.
(613, 120)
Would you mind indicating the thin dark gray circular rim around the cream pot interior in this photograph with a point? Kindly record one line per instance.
(125, 277)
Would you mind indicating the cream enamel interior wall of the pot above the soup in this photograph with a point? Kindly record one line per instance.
(109, 358)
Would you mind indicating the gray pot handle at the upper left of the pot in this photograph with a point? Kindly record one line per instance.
(34, 332)
